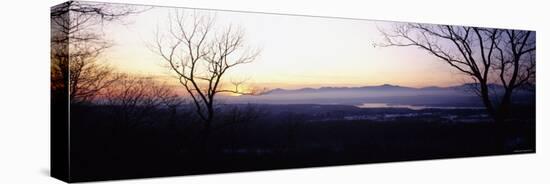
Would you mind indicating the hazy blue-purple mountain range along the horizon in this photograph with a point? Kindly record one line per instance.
(461, 95)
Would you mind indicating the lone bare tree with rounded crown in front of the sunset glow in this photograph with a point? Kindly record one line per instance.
(200, 57)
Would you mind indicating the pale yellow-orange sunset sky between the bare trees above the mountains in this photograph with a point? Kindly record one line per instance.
(296, 52)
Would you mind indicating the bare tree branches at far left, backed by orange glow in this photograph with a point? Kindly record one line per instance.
(77, 43)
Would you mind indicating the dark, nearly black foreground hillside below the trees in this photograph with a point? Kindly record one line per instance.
(108, 144)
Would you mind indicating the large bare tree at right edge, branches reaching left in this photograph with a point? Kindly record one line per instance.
(485, 55)
